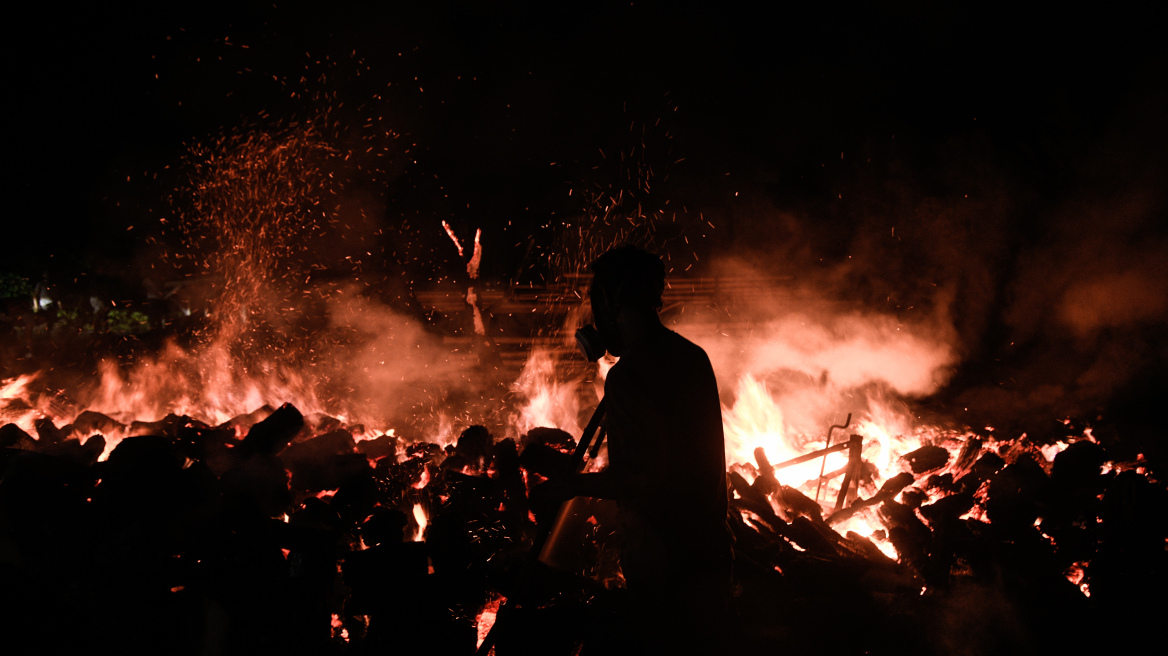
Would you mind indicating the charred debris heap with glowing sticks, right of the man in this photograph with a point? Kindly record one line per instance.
(999, 550)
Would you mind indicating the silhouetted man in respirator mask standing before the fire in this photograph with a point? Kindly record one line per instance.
(666, 462)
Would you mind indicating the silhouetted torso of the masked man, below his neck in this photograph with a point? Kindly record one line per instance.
(666, 451)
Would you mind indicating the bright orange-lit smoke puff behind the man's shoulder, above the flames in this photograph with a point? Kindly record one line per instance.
(821, 357)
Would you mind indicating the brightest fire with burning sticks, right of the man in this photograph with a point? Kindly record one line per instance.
(888, 455)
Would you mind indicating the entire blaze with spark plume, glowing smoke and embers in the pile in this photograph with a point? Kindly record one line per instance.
(825, 450)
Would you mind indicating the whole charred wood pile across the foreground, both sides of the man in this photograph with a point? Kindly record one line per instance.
(277, 533)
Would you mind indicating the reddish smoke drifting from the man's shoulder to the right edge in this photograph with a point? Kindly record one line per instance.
(955, 273)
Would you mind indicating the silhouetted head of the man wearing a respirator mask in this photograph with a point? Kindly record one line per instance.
(627, 281)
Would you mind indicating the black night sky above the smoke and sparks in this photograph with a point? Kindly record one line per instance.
(770, 96)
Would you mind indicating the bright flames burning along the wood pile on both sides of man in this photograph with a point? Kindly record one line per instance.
(212, 388)
